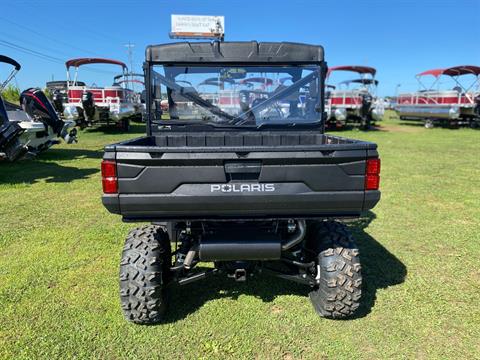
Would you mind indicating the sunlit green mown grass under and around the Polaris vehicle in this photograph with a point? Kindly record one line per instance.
(420, 250)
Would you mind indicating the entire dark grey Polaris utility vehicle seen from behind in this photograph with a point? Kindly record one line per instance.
(239, 175)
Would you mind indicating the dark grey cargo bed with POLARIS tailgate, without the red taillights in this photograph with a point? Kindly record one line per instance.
(249, 174)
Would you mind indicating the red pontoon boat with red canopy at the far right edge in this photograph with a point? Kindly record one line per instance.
(457, 106)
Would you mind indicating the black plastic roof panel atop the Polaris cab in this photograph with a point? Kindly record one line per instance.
(240, 52)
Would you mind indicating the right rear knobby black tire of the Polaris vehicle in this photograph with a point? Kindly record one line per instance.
(337, 295)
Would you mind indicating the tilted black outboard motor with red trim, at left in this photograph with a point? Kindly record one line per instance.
(36, 104)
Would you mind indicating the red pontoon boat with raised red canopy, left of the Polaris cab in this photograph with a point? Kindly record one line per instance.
(92, 105)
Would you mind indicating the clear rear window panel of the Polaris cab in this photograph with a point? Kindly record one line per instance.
(236, 96)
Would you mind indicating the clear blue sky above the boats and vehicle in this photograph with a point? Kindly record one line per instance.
(398, 38)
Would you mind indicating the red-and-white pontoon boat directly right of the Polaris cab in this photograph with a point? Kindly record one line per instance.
(354, 101)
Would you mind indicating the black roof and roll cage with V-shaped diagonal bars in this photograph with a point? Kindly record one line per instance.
(233, 54)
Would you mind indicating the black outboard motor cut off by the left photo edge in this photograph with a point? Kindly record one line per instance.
(10, 147)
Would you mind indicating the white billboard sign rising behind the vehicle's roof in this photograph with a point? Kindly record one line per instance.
(197, 26)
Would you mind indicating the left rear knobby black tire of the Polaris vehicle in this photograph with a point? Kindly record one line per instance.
(144, 274)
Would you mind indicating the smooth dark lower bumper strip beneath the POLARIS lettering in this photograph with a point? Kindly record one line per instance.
(148, 207)
